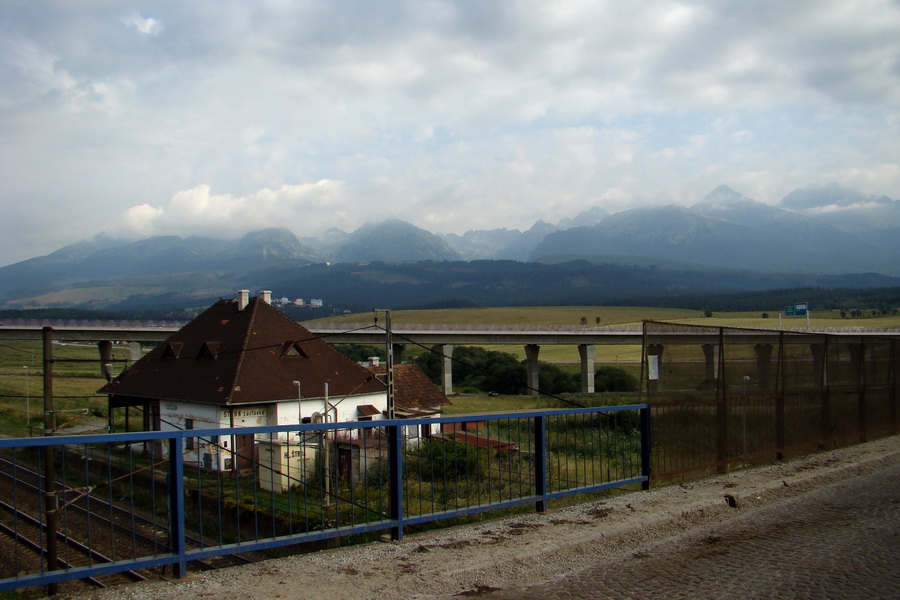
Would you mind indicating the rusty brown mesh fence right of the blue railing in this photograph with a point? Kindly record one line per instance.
(723, 398)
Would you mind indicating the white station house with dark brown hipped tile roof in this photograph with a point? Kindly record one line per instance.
(243, 363)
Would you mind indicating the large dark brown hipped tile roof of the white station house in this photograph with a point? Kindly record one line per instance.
(231, 356)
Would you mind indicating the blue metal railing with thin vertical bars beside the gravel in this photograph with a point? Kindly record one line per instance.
(159, 499)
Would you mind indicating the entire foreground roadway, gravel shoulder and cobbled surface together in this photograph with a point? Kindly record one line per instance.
(547, 555)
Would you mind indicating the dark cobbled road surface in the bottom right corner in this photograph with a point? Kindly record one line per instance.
(839, 541)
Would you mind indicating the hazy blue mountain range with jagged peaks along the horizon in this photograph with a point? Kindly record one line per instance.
(824, 231)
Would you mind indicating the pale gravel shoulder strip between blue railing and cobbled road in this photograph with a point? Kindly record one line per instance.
(523, 550)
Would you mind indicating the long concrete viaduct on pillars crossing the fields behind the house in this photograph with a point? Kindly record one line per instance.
(445, 337)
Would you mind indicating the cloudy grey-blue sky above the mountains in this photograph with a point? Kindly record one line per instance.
(222, 116)
